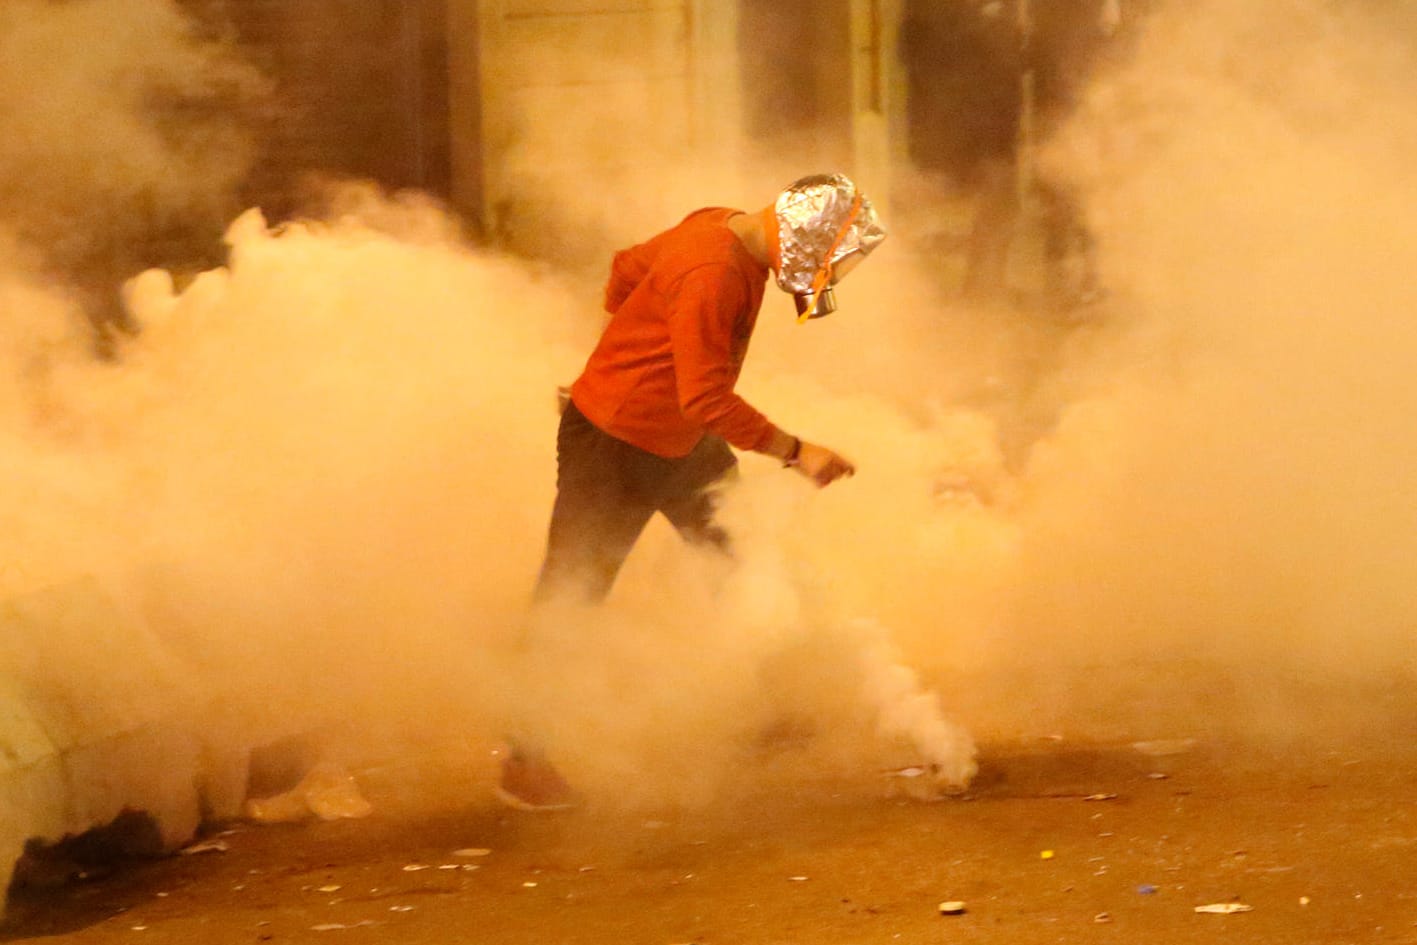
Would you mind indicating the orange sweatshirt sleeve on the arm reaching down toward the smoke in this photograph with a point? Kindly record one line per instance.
(705, 315)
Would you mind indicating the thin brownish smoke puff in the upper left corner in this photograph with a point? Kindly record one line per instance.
(121, 120)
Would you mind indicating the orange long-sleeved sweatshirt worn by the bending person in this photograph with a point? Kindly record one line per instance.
(682, 310)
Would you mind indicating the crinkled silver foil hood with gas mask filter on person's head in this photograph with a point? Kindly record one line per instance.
(825, 227)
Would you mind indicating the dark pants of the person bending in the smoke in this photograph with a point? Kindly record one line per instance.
(607, 492)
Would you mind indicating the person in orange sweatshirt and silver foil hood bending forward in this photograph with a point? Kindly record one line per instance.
(654, 419)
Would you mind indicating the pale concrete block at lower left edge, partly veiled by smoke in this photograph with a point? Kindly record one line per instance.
(96, 719)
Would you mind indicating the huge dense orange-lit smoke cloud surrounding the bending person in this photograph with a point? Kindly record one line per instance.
(322, 474)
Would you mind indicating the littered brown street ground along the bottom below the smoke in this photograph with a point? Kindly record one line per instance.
(1059, 842)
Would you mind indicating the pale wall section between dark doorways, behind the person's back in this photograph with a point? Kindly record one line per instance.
(565, 111)
